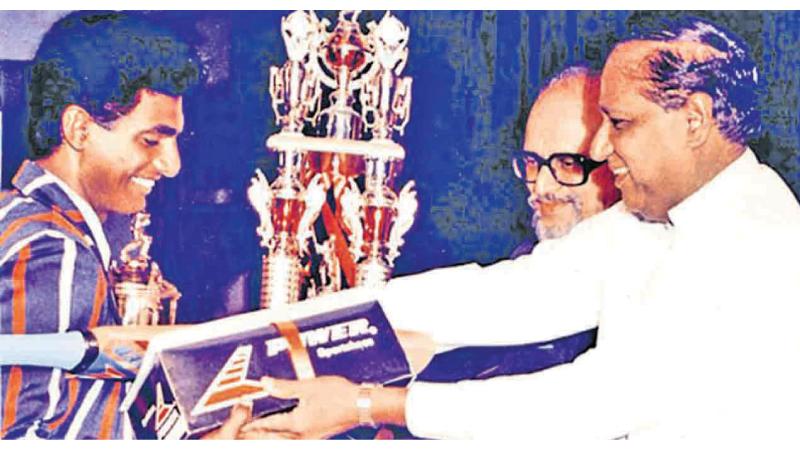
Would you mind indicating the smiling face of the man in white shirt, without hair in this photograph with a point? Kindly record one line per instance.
(645, 144)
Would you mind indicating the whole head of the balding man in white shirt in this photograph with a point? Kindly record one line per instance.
(679, 106)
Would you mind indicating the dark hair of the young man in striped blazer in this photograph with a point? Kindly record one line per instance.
(100, 62)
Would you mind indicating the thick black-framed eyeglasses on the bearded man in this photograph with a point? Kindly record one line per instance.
(568, 169)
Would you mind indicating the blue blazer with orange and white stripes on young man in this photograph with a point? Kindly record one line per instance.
(53, 278)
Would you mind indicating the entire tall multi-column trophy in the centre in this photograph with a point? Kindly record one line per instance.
(339, 100)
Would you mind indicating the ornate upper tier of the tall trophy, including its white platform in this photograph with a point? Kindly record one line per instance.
(344, 76)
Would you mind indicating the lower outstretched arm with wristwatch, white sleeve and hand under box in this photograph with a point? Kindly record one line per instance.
(587, 399)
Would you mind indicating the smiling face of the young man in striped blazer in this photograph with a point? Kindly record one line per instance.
(120, 163)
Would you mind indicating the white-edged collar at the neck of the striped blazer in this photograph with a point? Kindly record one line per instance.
(35, 181)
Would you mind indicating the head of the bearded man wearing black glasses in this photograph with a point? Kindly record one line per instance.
(565, 185)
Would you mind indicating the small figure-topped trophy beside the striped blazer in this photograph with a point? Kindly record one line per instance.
(139, 286)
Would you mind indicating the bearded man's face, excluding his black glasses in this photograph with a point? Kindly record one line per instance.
(563, 120)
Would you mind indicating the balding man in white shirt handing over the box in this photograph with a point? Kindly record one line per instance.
(689, 281)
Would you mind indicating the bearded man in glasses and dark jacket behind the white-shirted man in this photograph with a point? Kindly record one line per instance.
(566, 186)
